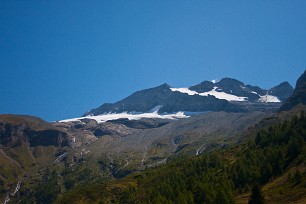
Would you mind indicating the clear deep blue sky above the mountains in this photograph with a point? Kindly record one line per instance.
(59, 59)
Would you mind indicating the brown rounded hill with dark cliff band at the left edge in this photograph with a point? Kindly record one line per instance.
(27, 143)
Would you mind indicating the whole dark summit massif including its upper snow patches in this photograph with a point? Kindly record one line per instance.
(228, 95)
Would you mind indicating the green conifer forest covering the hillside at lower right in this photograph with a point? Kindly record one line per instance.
(213, 178)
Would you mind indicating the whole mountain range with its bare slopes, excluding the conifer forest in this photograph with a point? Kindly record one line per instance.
(152, 127)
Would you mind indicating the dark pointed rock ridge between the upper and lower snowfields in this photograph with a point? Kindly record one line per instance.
(168, 100)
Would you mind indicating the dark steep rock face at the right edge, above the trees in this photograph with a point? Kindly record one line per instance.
(298, 96)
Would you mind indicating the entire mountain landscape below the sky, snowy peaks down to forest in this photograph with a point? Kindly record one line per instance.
(210, 147)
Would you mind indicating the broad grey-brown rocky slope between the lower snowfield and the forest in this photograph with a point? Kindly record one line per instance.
(124, 146)
